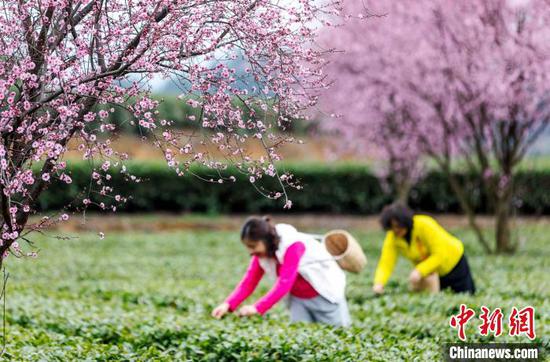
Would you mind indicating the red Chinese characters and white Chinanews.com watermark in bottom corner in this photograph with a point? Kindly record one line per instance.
(520, 322)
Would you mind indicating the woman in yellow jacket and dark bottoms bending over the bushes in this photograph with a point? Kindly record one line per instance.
(438, 256)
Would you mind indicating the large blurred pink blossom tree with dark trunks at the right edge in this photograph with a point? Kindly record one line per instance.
(472, 77)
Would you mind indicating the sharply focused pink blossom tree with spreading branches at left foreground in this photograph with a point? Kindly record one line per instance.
(67, 64)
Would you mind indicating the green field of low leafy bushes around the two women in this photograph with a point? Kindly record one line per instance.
(140, 296)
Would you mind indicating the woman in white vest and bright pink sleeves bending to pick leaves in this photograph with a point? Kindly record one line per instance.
(303, 268)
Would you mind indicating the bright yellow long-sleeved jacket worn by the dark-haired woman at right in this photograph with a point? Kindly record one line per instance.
(431, 249)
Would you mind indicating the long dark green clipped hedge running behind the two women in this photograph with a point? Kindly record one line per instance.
(343, 188)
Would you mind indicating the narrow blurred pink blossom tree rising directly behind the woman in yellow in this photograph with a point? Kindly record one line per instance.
(369, 113)
